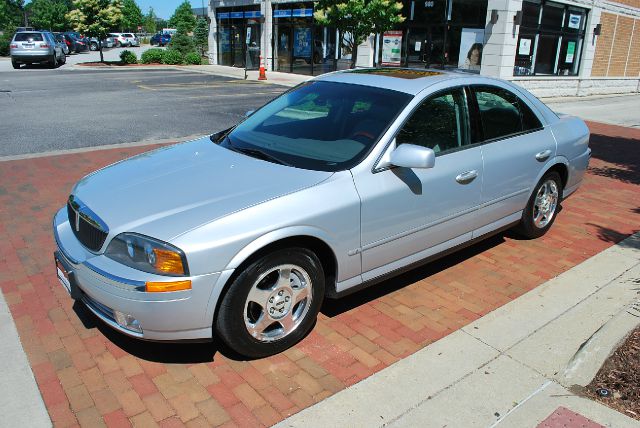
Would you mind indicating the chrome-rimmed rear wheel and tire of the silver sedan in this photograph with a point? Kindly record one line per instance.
(541, 210)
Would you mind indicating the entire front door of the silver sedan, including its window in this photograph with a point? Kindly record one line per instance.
(406, 211)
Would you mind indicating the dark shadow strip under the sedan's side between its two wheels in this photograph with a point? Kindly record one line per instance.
(334, 307)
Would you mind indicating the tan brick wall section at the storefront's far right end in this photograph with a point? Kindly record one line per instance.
(618, 46)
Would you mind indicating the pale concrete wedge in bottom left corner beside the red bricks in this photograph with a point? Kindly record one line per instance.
(21, 404)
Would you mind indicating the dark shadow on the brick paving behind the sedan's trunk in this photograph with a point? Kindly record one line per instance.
(624, 153)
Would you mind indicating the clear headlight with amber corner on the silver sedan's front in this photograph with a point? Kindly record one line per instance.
(147, 254)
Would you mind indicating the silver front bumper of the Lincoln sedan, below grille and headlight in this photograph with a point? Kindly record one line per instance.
(106, 286)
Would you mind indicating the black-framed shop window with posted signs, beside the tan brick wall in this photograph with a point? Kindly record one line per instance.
(550, 40)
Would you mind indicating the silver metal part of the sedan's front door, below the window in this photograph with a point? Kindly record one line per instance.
(405, 211)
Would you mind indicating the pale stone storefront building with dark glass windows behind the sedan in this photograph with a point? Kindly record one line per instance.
(554, 48)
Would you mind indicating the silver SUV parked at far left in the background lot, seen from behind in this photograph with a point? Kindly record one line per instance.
(28, 47)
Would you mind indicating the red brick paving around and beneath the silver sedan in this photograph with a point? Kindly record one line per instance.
(91, 375)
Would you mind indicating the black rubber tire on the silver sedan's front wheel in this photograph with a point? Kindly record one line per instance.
(230, 321)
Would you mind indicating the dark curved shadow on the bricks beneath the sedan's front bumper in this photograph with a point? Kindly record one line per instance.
(183, 352)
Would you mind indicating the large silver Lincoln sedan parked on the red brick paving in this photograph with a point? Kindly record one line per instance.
(336, 184)
